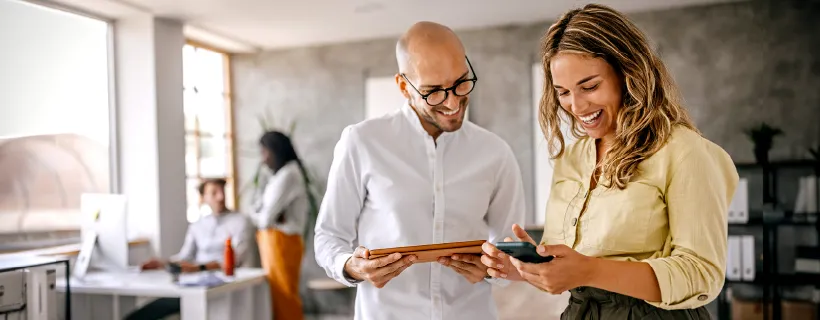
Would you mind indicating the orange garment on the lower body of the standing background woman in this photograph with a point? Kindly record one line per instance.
(281, 256)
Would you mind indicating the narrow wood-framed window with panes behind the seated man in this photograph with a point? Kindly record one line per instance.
(208, 124)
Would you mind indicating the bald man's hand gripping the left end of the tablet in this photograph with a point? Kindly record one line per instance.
(377, 271)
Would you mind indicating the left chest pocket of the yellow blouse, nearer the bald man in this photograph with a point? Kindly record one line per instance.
(561, 202)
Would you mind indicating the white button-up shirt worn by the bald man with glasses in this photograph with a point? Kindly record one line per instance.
(391, 184)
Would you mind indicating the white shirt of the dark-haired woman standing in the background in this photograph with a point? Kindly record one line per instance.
(285, 194)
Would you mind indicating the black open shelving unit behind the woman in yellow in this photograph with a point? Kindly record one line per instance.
(770, 278)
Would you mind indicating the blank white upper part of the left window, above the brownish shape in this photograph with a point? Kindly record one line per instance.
(39, 92)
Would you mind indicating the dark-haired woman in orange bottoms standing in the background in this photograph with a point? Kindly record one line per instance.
(282, 215)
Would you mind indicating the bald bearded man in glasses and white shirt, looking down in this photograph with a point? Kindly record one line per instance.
(419, 175)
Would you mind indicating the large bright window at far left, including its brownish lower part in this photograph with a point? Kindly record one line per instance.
(54, 121)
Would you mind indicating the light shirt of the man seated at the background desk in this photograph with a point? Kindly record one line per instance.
(205, 239)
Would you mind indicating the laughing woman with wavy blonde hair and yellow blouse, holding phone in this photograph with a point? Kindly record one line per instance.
(636, 218)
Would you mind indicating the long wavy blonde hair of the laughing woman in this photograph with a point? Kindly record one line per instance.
(651, 103)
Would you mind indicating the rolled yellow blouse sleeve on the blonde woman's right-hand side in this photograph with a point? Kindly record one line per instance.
(691, 273)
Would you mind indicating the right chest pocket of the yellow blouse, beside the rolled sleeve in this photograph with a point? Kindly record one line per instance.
(618, 220)
